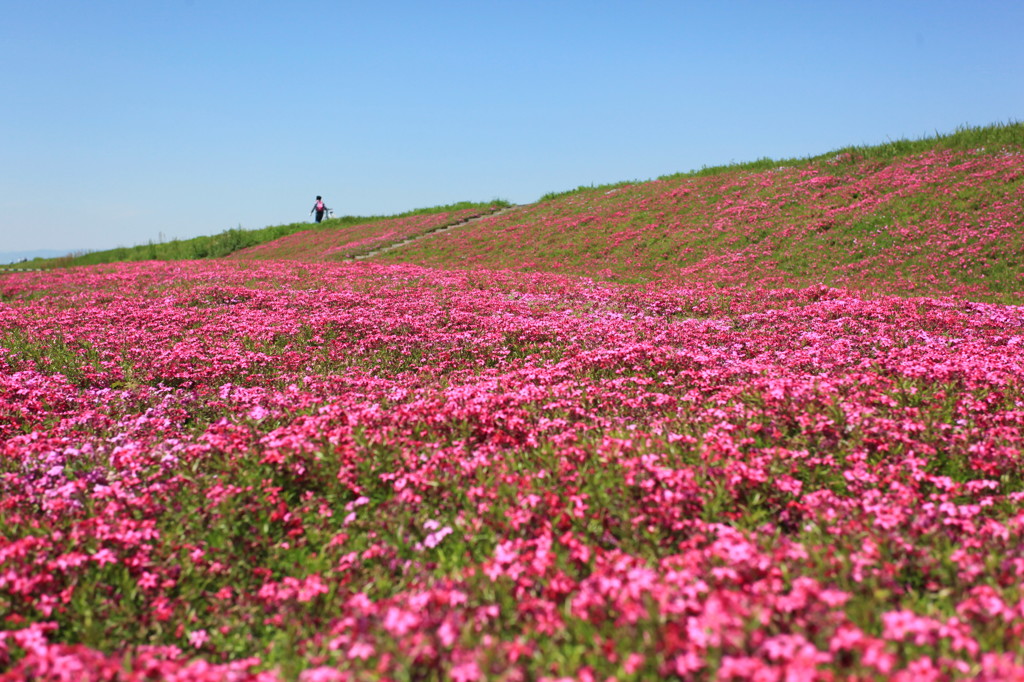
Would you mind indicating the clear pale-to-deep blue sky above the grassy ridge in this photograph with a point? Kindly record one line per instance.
(125, 121)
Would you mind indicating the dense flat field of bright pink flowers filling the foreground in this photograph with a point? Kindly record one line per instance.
(249, 471)
